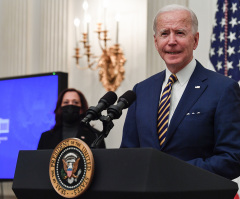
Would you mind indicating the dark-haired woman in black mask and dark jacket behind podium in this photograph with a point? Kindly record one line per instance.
(70, 109)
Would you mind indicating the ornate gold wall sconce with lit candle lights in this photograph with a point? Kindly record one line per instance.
(110, 64)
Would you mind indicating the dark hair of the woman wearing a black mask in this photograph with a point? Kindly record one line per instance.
(58, 111)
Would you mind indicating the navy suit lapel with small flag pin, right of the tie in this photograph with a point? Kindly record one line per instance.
(196, 86)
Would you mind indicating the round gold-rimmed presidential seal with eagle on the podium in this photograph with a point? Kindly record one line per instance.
(71, 167)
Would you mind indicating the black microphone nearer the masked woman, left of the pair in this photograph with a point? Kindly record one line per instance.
(94, 112)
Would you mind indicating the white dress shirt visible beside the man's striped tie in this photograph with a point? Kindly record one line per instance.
(179, 86)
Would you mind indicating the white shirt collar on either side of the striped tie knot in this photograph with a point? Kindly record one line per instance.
(184, 74)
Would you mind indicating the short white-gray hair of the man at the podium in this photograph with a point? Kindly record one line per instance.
(174, 7)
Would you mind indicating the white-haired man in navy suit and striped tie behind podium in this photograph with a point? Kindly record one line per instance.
(201, 122)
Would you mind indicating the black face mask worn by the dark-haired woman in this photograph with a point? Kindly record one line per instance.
(70, 114)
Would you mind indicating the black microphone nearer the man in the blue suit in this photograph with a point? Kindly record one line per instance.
(115, 111)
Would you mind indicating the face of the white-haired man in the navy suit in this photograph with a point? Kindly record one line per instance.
(174, 39)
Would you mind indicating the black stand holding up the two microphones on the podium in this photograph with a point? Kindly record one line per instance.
(107, 126)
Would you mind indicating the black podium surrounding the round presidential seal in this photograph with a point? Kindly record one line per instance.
(125, 173)
